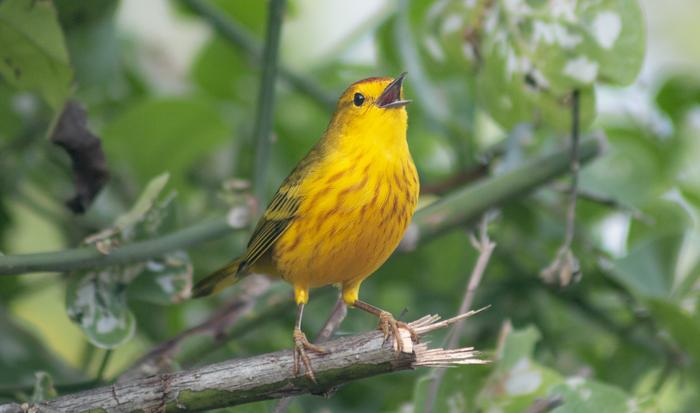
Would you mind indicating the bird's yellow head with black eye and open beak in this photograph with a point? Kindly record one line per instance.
(374, 108)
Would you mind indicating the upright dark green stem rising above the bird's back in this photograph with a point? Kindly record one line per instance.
(266, 97)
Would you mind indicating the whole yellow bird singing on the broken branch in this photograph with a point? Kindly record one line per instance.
(341, 212)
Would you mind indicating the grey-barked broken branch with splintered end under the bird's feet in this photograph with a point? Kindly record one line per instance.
(263, 377)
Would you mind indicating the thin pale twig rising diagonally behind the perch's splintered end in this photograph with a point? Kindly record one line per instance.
(485, 247)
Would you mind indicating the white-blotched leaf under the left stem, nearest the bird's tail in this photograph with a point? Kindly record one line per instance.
(164, 280)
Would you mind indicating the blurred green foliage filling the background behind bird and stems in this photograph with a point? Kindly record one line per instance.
(487, 77)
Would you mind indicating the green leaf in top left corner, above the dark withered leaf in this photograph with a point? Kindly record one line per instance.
(33, 54)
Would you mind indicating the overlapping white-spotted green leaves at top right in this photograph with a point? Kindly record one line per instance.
(535, 54)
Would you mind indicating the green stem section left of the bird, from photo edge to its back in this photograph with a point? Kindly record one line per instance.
(89, 256)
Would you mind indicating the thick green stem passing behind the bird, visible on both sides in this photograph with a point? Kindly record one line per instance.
(461, 207)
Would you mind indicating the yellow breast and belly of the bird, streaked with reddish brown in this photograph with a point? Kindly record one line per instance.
(354, 212)
